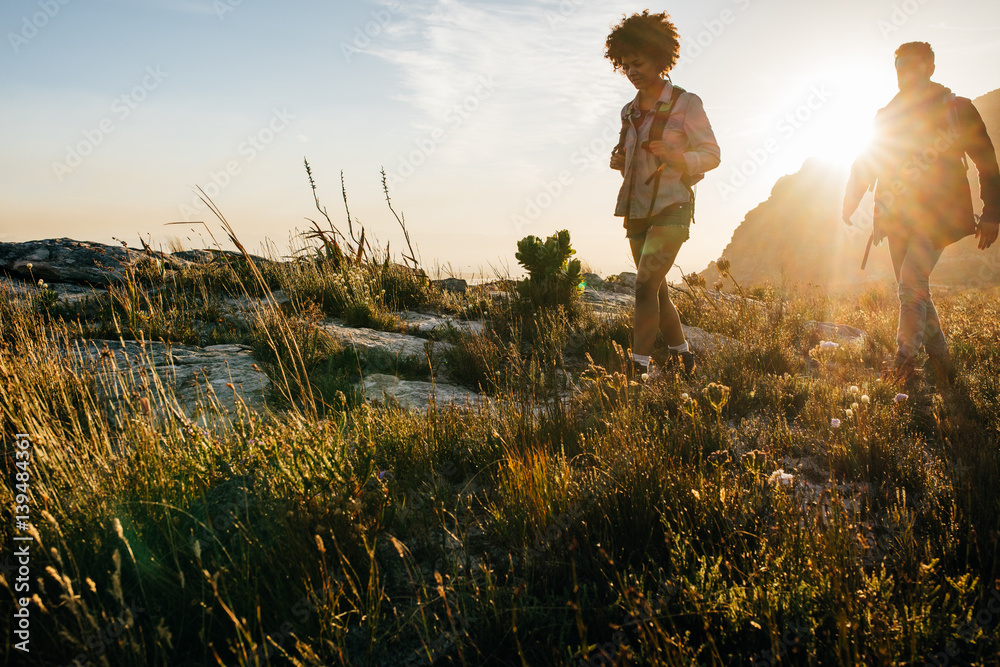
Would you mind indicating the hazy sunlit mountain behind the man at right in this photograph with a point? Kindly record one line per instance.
(797, 236)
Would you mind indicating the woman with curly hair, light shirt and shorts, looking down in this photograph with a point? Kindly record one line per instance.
(666, 145)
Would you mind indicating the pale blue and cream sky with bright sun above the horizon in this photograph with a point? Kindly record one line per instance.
(492, 120)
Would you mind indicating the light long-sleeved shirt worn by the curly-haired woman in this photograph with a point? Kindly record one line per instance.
(687, 130)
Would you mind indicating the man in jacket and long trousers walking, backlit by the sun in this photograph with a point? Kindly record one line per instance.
(923, 203)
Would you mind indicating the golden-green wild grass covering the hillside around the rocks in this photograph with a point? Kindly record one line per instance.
(576, 517)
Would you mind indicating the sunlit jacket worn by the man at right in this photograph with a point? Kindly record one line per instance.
(916, 164)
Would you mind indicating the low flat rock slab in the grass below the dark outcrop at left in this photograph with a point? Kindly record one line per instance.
(190, 372)
